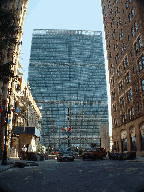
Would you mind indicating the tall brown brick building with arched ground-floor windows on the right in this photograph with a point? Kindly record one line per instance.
(124, 34)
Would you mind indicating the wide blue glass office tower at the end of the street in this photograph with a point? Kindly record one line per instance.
(67, 70)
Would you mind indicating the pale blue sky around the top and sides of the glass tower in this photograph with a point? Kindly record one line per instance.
(62, 14)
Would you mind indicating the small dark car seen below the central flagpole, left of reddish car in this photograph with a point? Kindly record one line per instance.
(65, 156)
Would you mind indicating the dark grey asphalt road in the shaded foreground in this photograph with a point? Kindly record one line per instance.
(78, 176)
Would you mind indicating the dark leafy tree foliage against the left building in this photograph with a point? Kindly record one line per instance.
(8, 40)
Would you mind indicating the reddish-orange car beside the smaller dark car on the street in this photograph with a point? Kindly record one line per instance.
(94, 153)
